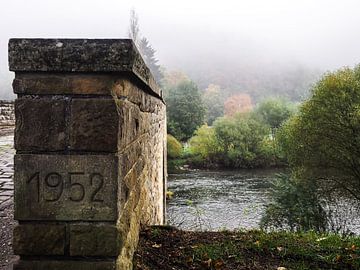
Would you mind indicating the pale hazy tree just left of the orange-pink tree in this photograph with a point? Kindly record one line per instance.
(214, 103)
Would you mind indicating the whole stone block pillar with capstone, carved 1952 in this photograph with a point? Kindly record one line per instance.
(89, 164)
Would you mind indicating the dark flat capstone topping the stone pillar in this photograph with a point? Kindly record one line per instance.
(80, 55)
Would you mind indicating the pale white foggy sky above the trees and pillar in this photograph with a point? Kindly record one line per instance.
(245, 38)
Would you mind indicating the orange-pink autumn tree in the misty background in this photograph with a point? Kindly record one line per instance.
(240, 103)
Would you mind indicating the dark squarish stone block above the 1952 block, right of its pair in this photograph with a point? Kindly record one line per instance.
(94, 125)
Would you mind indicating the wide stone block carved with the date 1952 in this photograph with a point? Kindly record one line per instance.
(65, 187)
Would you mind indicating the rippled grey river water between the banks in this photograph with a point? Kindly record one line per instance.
(215, 200)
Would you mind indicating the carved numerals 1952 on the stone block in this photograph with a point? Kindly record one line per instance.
(51, 187)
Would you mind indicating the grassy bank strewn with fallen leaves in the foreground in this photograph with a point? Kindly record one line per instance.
(166, 248)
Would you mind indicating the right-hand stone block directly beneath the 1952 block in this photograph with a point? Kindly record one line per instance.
(93, 240)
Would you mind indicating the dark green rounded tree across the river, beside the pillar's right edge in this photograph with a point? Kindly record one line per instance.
(185, 110)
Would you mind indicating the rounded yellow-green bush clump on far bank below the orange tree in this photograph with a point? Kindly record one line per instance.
(241, 141)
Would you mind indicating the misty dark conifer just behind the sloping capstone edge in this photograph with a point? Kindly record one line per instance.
(148, 54)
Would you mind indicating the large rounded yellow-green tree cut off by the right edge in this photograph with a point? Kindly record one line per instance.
(322, 142)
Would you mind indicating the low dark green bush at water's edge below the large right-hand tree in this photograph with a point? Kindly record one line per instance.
(295, 205)
